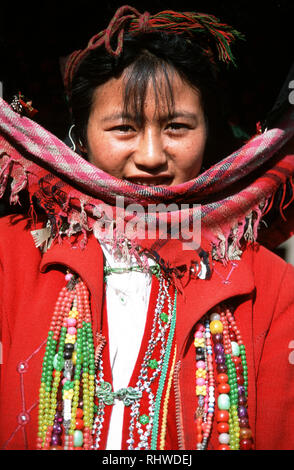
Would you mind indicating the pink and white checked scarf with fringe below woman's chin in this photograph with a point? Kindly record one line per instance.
(234, 194)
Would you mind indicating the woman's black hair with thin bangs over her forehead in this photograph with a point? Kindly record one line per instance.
(144, 55)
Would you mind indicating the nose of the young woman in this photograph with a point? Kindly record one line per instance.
(150, 154)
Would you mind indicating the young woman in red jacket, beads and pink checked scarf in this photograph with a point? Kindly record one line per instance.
(160, 337)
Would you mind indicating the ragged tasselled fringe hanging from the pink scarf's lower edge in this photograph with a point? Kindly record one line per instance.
(75, 217)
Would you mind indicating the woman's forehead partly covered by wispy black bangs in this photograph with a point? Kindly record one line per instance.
(159, 94)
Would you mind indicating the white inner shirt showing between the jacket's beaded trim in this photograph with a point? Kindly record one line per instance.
(127, 300)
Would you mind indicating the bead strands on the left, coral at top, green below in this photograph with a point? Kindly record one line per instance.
(68, 372)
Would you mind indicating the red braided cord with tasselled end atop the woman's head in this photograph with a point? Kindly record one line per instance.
(127, 18)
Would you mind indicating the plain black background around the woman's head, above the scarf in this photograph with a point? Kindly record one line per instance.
(36, 36)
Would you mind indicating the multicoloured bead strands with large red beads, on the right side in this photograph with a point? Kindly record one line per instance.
(220, 353)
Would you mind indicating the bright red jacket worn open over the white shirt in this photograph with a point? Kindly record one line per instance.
(261, 285)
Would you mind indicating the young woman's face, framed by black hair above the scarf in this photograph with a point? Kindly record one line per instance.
(163, 150)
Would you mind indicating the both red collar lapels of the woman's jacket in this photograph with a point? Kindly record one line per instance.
(227, 281)
